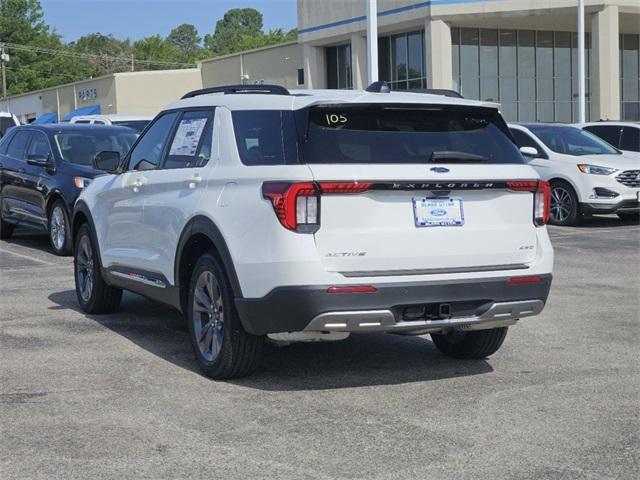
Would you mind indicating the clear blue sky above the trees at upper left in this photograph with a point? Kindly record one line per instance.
(141, 18)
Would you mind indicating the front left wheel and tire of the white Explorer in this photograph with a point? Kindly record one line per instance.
(96, 297)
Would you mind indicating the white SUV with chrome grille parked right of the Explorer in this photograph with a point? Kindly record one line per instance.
(587, 175)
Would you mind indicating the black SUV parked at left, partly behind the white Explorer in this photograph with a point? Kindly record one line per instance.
(43, 169)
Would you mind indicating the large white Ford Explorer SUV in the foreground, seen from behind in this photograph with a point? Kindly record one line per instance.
(310, 215)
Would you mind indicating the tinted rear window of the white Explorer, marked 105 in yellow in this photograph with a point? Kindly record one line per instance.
(407, 134)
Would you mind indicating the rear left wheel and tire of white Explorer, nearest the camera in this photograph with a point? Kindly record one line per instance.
(220, 344)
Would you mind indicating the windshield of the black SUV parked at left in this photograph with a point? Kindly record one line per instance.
(80, 147)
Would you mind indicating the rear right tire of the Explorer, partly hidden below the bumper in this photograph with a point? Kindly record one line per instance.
(470, 345)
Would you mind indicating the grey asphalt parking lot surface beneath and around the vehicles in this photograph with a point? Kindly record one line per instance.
(119, 396)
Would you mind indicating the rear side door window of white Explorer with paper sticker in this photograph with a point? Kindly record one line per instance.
(192, 140)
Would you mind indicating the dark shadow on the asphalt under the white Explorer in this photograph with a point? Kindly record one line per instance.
(361, 360)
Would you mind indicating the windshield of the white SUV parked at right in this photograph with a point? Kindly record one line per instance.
(571, 141)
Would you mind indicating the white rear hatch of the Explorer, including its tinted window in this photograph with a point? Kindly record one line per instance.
(433, 191)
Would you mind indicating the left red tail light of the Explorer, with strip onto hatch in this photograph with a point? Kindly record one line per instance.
(297, 205)
